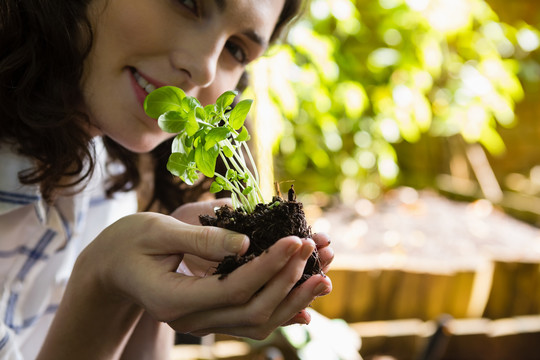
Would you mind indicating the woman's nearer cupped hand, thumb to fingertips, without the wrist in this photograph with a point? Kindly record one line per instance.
(139, 256)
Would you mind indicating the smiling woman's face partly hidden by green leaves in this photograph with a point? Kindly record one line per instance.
(201, 46)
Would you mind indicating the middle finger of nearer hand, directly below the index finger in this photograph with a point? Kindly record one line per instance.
(262, 306)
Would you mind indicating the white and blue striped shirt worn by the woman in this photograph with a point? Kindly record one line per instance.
(38, 247)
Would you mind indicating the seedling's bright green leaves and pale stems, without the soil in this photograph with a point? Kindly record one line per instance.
(203, 135)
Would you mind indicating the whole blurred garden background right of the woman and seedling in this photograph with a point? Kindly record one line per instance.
(410, 131)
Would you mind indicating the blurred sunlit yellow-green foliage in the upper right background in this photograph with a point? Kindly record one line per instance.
(363, 76)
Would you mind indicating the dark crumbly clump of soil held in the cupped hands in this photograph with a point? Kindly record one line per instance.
(266, 225)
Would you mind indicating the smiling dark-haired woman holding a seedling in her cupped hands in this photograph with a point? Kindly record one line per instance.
(73, 76)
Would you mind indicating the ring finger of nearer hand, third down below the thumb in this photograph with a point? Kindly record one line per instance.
(298, 299)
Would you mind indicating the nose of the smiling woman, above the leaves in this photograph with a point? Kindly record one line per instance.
(200, 61)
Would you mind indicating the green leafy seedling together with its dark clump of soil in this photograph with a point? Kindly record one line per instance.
(217, 130)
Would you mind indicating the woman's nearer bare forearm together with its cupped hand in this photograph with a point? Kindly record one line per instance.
(132, 265)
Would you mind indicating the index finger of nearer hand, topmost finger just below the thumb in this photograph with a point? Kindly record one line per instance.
(184, 295)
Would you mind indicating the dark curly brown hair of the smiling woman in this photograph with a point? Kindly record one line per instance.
(43, 45)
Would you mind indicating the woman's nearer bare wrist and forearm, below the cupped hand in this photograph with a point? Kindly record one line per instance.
(93, 321)
